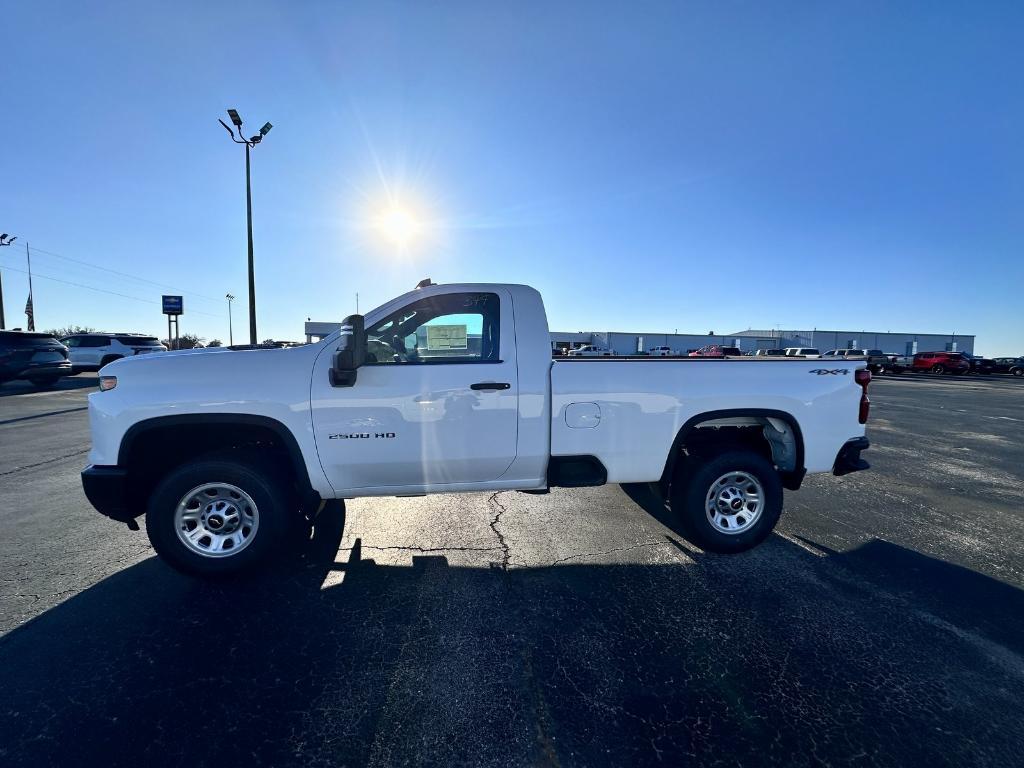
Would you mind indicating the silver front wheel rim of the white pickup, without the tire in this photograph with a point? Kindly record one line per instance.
(217, 520)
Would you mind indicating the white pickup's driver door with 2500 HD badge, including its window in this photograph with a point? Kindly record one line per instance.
(436, 405)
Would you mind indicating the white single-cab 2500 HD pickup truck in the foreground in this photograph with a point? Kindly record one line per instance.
(452, 389)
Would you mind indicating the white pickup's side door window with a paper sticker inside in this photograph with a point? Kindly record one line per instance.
(451, 328)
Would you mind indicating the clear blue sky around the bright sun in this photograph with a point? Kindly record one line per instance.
(700, 166)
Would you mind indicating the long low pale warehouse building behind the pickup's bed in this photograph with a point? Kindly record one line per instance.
(751, 340)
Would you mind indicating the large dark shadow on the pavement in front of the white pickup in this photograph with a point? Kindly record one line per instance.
(879, 656)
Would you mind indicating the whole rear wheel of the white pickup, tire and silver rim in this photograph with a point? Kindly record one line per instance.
(728, 504)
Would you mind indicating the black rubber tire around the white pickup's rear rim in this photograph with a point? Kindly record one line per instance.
(693, 487)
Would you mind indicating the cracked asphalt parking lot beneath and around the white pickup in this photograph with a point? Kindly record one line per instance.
(883, 624)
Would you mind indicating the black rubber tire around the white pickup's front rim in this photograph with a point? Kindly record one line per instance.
(277, 513)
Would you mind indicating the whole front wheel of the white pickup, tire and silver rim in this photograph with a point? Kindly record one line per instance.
(220, 516)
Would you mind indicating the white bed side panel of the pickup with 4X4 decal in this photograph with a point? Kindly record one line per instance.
(629, 420)
